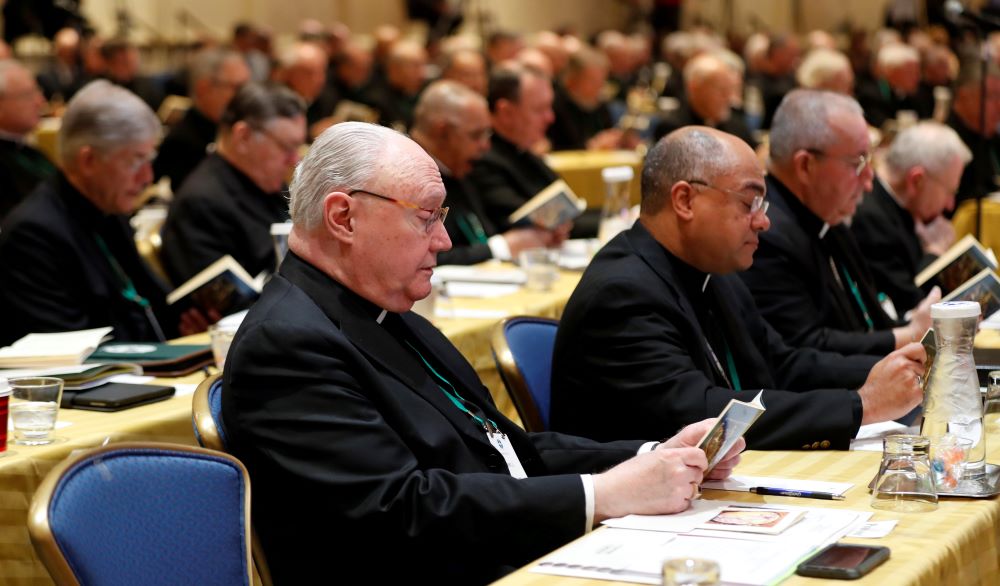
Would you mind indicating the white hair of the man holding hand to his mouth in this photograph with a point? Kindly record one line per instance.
(931, 145)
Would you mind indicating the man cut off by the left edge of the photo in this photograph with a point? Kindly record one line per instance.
(22, 167)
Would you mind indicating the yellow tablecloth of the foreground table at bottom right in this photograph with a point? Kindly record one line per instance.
(958, 544)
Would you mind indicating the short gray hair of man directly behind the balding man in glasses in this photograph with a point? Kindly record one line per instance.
(802, 122)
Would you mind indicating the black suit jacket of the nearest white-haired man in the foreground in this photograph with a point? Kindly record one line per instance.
(356, 455)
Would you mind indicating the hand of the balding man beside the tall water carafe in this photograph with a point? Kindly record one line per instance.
(893, 386)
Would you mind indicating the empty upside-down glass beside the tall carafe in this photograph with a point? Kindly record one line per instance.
(905, 483)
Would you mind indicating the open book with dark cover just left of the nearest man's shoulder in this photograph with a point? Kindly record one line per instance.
(224, 286)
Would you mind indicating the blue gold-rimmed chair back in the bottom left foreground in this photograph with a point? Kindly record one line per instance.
(144, 513)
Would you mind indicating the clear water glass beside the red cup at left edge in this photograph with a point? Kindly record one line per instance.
(34, 406)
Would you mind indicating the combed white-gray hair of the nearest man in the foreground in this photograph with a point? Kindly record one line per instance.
(344, 157)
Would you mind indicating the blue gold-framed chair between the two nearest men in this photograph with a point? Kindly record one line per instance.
(522, 348)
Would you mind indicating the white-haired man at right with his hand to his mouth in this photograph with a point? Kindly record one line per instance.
(900, 225)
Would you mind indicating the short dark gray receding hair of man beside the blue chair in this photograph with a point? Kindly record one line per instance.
(686, 154)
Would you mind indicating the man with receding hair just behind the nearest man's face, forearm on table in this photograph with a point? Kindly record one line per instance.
(452, 123)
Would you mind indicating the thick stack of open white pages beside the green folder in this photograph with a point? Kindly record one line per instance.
(39, 350)
